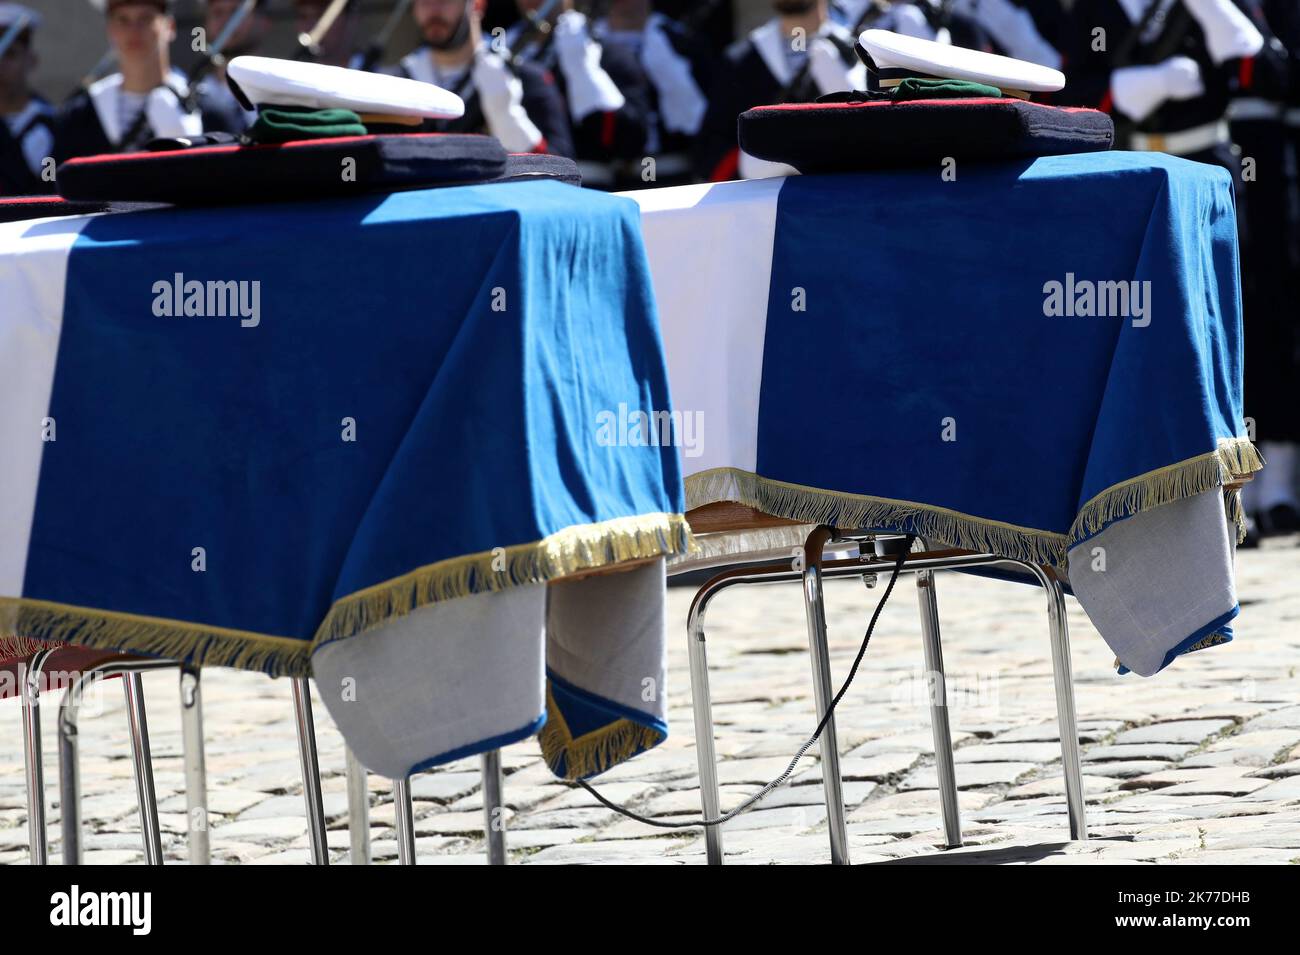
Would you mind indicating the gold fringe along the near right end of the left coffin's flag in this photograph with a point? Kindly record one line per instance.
(584, 548)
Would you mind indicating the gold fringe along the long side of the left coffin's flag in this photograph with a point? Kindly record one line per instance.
(175, 640)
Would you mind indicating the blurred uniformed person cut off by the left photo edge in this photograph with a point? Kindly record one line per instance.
(27, 134)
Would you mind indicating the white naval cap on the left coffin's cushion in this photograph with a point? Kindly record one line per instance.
(272, 83)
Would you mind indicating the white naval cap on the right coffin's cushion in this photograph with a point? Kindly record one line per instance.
(895, 58)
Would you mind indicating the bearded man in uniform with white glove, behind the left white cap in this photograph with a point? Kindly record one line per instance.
(515, 102)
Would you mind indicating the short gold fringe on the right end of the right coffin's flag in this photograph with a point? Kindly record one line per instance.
(1234, 458)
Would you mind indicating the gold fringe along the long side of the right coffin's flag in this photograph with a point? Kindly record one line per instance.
(816, 506)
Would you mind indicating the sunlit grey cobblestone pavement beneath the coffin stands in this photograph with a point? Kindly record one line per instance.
(1199, 765)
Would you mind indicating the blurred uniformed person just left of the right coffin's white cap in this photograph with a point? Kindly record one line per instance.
(795, 58)
